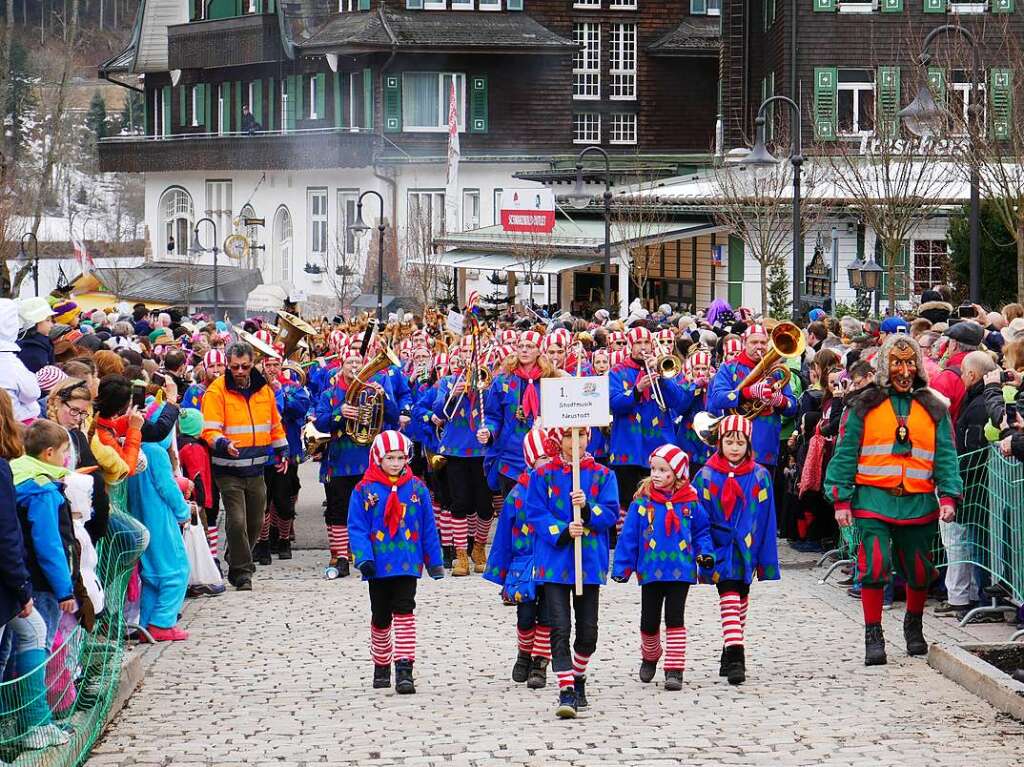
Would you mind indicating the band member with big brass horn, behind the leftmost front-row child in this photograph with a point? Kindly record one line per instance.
(345, 462)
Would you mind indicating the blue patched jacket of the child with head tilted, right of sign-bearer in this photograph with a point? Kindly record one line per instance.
(660, 548)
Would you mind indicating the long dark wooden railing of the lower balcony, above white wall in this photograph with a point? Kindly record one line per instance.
(294, 150)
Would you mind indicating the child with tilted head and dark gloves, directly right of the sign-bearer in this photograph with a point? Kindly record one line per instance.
(665, 538)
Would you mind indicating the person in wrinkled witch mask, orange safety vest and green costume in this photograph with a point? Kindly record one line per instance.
(894, 475)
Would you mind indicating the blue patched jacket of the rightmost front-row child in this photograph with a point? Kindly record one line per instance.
(745, 541)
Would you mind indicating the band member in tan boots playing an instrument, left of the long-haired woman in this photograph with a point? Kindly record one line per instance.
(459, 407)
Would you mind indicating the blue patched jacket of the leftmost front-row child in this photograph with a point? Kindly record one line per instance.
(415, 543)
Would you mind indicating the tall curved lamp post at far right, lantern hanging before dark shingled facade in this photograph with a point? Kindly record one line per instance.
(925, 118)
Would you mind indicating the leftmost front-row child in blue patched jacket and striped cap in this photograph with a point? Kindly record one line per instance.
(394, 533)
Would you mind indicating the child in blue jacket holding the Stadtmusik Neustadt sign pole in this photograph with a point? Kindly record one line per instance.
(550, 502)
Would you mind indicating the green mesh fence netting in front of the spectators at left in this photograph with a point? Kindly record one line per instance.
(82, 675)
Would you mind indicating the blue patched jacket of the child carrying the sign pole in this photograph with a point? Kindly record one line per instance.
(549, 513)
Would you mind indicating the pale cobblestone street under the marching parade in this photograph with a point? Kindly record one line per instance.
(281, 676)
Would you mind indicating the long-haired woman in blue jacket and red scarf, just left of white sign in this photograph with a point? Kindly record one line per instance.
(511, 406)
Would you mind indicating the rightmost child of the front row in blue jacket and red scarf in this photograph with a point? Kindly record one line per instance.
(737, 494)
